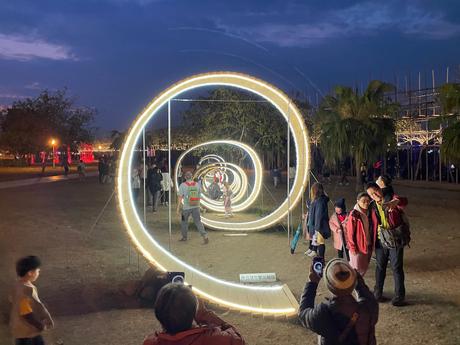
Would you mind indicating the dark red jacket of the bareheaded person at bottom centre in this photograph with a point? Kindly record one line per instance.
(213, 331)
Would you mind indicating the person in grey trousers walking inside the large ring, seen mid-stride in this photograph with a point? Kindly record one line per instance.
(188, 204)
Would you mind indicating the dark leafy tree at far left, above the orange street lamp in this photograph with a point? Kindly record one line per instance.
(28, 125)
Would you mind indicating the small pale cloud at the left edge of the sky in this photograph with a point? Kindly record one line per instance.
(22, 48)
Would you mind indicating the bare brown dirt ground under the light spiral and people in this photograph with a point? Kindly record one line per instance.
(85, 265)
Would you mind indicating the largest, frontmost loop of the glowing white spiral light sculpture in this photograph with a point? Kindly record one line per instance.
(278, 300)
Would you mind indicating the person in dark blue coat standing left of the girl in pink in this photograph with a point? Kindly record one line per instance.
(318, 219)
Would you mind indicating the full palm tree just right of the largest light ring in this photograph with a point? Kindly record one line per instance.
(357, 125)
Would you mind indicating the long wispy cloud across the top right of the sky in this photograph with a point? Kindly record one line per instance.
(360, 20)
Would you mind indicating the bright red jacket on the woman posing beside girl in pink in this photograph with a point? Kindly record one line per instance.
(356, 234)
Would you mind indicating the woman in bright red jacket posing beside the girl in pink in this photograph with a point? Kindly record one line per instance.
(359, 234)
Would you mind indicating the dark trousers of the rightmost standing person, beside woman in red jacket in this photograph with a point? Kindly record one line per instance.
(396, 257)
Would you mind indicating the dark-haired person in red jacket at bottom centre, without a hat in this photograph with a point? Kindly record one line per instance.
(186, 321)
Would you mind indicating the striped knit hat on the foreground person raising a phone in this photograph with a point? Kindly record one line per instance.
(339, 277)
